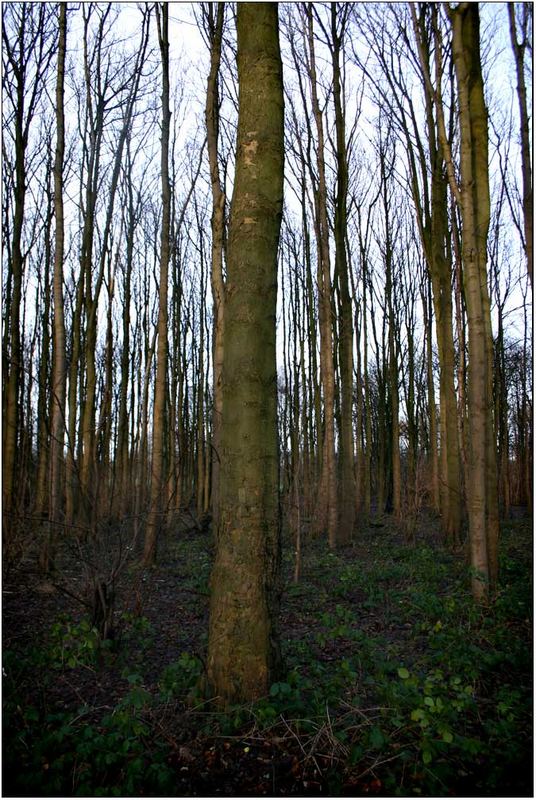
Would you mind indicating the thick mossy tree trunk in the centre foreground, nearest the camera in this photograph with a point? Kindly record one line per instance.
(243, 651)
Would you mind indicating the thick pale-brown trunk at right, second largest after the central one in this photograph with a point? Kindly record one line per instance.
(474, 201)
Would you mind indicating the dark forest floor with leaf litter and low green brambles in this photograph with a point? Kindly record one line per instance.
(396, 683)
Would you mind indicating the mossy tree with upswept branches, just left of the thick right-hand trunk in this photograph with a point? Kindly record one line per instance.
(428, 188)
